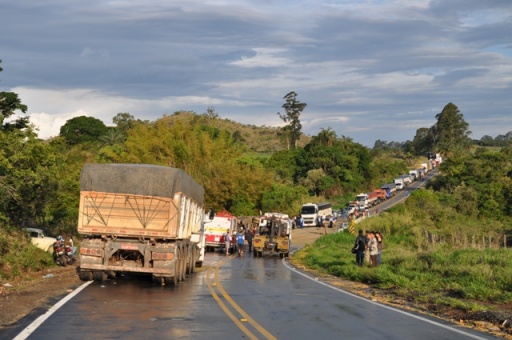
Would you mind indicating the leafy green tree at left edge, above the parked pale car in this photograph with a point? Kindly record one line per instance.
(29, 180)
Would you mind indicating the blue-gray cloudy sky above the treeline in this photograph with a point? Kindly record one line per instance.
(368, 70)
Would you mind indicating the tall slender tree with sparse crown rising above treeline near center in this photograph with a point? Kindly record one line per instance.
(293, 108)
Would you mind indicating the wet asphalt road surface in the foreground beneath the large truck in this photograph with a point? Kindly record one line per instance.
(235, 298)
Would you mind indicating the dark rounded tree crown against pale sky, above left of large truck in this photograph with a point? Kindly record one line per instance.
(82, 129)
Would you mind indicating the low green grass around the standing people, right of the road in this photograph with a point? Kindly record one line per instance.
(467, 279)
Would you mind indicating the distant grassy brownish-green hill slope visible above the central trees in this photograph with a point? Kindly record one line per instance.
(259, 139)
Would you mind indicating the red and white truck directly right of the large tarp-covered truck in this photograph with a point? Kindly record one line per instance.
(215, 229)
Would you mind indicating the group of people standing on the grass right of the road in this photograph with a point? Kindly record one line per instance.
(368, 248)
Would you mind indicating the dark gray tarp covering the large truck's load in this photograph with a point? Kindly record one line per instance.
(139, 179)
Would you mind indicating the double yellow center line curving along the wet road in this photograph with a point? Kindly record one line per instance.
(233, 304)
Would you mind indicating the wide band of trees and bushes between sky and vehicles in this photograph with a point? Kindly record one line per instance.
(39, 179)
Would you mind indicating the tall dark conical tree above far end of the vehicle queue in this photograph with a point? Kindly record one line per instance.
(452, 134)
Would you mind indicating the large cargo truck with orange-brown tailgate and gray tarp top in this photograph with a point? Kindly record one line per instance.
(140, 218)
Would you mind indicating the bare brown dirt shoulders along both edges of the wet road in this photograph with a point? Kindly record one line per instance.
(20, 297)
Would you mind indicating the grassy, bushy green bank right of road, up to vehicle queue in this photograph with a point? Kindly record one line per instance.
(434, 254)
